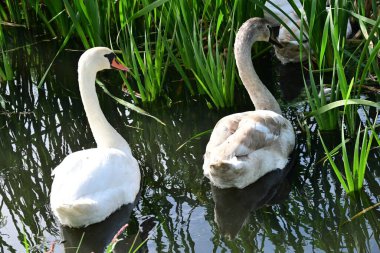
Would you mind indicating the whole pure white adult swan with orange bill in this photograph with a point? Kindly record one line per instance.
(91, 184)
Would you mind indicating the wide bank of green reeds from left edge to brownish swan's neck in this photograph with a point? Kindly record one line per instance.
(152, 39)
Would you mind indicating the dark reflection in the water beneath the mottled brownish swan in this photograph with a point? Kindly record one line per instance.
(233, 205)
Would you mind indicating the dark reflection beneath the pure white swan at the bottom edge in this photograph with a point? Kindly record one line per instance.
(96, 237)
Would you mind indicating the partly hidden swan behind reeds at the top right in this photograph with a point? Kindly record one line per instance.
(290, 52)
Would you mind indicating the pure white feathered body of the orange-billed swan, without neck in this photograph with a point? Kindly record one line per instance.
(91, 184)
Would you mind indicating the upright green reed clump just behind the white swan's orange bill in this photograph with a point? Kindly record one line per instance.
(145, 50)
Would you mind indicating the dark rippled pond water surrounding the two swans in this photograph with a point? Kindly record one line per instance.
(303, 210)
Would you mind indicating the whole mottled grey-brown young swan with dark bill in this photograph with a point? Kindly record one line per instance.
(245, 146)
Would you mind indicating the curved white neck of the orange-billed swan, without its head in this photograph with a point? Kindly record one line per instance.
(105, 135)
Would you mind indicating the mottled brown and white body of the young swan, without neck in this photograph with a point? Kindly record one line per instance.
(245, 146)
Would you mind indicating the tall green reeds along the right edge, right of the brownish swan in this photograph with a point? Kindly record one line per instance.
(345, 67)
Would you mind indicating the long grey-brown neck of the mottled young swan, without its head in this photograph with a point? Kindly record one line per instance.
(259, 94)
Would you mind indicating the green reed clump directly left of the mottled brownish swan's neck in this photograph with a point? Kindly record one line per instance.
(204, 44)
